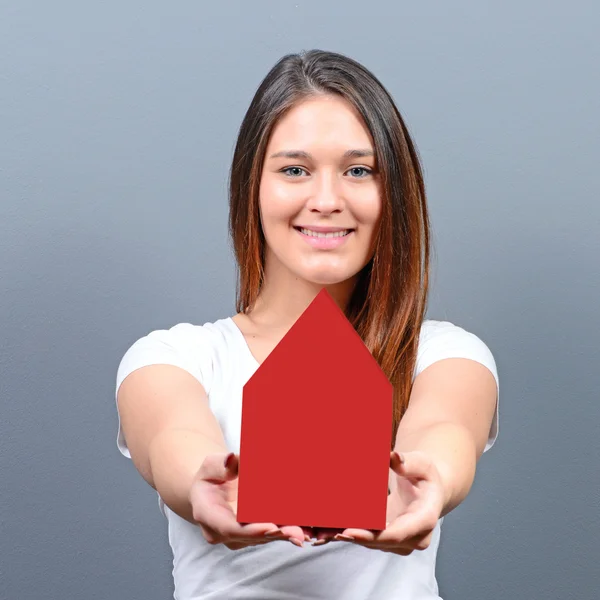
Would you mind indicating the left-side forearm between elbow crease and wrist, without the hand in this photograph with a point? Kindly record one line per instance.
(175, 456)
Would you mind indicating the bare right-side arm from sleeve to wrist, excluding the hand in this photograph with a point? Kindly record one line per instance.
(449, 416)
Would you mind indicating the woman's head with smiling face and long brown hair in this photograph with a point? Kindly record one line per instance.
(325, 118)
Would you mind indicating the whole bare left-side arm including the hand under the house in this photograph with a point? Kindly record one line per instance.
(170, 431)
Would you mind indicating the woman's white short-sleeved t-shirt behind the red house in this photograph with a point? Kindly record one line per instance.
(218, 356)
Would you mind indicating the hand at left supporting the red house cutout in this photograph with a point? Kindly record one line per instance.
(213, 496)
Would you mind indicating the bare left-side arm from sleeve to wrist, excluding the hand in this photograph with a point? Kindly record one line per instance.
(170, 429)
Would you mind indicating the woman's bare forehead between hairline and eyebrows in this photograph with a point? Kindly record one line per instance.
(327, 120)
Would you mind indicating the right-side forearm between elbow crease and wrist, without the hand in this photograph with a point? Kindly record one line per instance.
(453, 452)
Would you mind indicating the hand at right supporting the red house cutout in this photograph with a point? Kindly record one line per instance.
(414, 506)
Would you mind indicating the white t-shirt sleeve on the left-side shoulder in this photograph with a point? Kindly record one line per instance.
(184, 345)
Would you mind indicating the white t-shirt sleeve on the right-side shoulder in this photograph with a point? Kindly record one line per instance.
(442, 339)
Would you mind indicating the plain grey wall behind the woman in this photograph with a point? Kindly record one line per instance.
(118, 121)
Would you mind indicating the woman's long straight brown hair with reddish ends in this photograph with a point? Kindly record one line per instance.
(389, 301)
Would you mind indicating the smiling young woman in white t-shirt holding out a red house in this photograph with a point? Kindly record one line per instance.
(326, 190)
